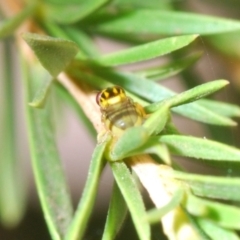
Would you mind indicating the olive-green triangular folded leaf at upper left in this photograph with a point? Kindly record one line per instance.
(53, 53)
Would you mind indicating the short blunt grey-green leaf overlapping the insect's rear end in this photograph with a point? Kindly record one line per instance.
(131, 139)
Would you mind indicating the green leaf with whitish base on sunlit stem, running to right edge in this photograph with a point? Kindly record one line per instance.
(225, 188)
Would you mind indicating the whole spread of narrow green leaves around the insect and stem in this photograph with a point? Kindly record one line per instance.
(71, 49)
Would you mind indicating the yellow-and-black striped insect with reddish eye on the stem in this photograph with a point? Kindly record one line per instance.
(119, 112)
